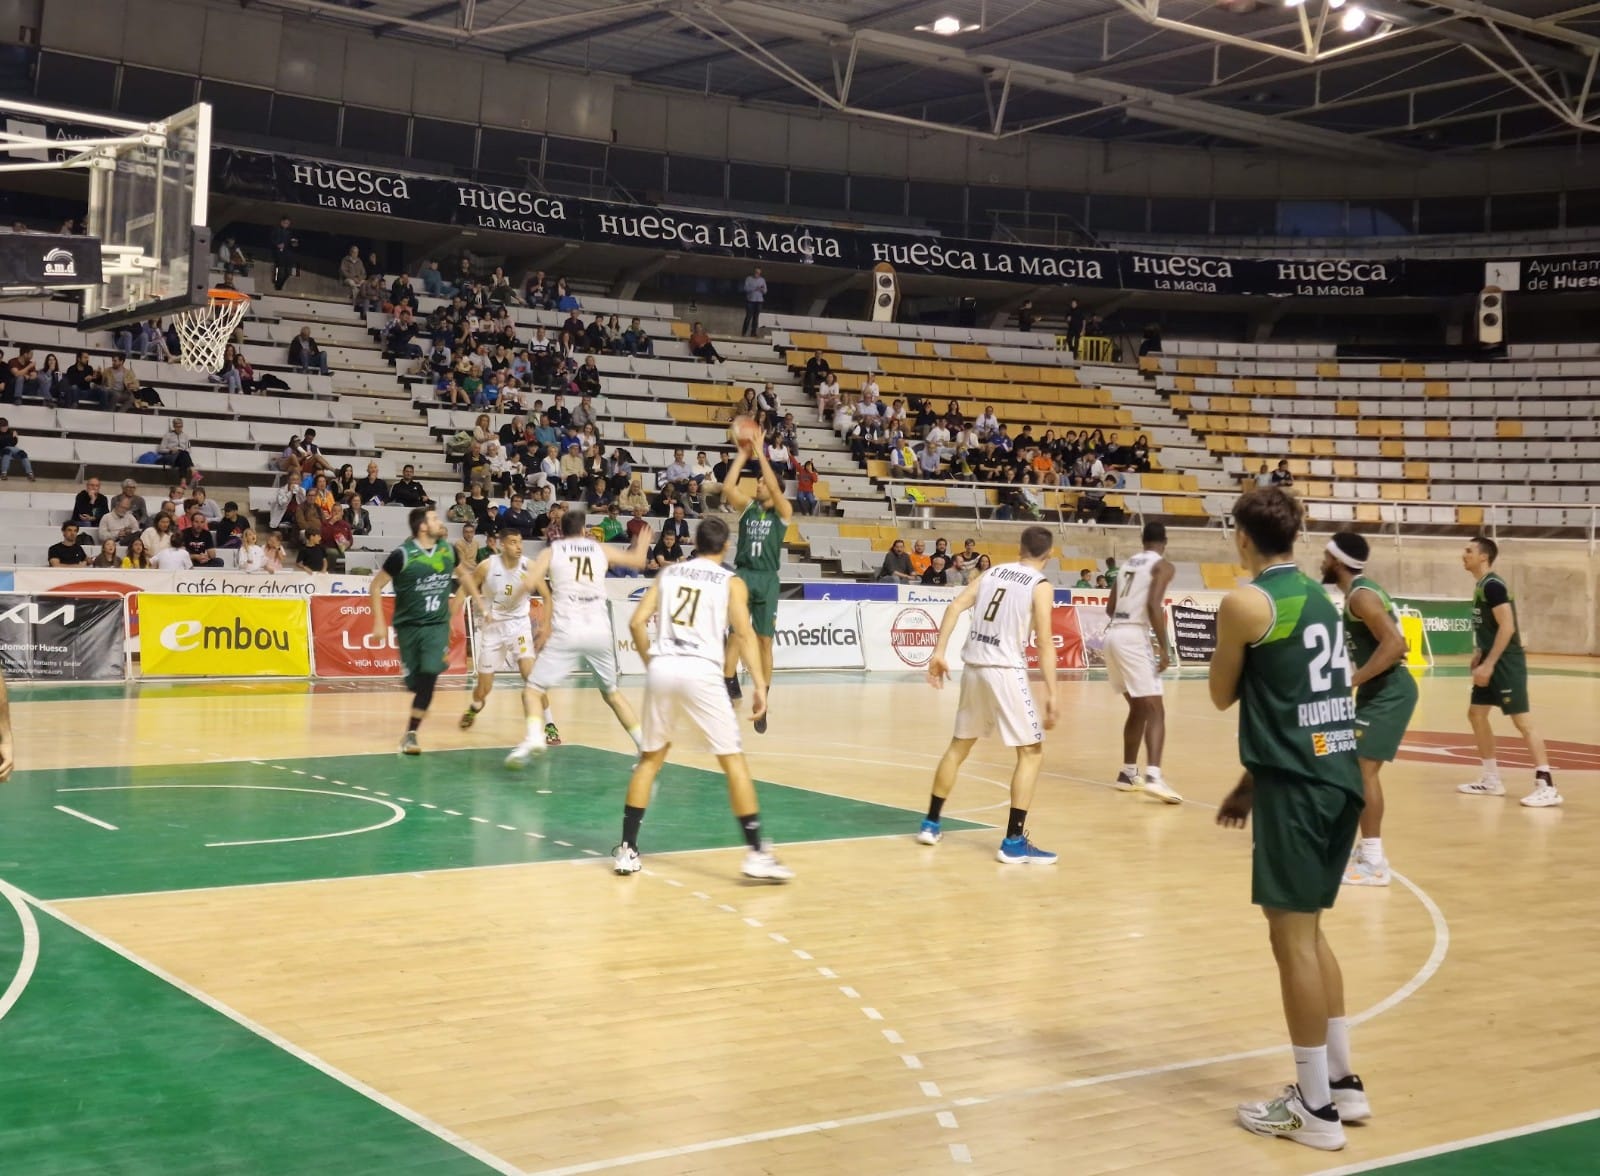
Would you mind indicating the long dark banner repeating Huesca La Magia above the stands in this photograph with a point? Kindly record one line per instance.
(287, 180)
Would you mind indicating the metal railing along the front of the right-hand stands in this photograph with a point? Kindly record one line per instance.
(1143, 503)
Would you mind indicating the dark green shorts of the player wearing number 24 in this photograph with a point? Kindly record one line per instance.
(1305, 833)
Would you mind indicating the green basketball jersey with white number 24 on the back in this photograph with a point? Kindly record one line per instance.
(1297, 718)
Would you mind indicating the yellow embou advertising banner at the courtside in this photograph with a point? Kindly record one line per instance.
(186, 636)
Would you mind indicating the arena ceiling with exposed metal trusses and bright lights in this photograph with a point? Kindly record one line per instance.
(1308, 78)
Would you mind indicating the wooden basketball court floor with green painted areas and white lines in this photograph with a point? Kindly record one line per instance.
(239, 935)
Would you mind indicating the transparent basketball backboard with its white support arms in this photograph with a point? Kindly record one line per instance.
(148, 201)
